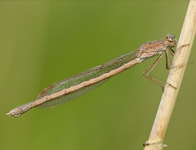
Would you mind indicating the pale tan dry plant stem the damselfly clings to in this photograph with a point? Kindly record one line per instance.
(175, 78)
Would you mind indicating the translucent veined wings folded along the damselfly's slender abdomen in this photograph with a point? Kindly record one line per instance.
(83, 76)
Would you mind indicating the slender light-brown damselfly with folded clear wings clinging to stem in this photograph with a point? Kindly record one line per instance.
(86, 81)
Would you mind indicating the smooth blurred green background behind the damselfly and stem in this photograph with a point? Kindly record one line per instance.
(44, 42)
